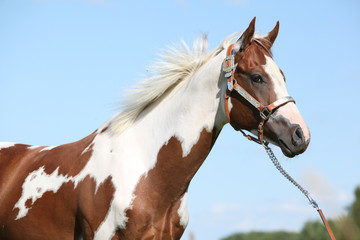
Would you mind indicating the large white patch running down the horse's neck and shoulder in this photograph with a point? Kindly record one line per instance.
(184, 113)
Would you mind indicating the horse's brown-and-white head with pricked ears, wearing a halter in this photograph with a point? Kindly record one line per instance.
(257, 94)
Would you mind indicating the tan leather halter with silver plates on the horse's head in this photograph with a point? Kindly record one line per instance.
(265, 111)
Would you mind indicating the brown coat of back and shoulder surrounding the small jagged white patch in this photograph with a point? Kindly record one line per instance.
(62, 215)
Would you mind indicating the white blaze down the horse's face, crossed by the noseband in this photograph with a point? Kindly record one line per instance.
(289, 110)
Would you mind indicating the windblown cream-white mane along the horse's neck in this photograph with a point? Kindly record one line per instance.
(176, 65)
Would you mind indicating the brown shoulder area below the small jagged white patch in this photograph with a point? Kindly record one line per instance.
(66, 214)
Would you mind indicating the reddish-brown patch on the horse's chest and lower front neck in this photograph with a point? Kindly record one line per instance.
(158, 194)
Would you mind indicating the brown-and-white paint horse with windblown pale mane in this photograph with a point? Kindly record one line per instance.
(129, 178)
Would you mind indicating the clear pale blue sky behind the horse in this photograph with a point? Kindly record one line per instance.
(64, 65)
